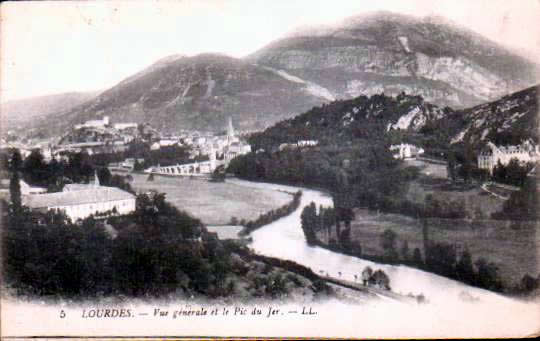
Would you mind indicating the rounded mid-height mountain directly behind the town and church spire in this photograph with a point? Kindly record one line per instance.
(199, 92)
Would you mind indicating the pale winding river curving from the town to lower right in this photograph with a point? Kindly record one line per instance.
(285, 239)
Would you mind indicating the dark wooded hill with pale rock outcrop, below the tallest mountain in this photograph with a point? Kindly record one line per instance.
(341, 122)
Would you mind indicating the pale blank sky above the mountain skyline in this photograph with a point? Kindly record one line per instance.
(54, 47)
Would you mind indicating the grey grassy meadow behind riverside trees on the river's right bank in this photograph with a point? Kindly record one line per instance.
(514, 251)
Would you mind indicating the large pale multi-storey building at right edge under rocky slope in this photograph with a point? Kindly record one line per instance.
(491, 155)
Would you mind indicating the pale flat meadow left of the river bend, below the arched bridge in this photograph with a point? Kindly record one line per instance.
(215, 203)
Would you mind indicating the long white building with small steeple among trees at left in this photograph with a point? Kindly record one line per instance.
(79, 202)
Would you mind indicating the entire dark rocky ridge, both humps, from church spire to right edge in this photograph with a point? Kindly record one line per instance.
(511, 119)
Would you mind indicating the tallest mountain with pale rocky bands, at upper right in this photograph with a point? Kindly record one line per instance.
(391, 53)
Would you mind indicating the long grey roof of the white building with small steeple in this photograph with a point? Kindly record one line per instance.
(85, 196)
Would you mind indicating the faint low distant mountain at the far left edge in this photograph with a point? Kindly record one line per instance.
(19, 113)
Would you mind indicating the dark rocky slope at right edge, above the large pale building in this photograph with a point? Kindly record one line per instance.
(509, 120)
